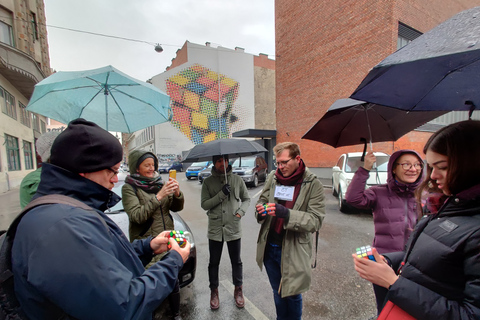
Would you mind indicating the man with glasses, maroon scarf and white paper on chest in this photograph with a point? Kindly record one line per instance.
(290, 208)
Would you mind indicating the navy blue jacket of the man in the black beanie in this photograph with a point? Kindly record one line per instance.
(64, 257)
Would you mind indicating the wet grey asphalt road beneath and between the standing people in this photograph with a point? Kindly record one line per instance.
(336, 293)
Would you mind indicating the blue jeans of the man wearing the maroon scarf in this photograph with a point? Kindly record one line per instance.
(289, 307)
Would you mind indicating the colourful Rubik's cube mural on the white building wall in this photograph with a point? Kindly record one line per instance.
(203, 103)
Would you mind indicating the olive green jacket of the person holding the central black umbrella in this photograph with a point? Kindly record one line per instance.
(223, 224)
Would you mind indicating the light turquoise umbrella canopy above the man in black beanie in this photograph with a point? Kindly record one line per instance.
(106, 96)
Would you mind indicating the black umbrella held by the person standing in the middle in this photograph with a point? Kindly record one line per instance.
(223, 147)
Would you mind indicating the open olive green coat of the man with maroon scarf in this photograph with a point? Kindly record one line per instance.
(305, 218)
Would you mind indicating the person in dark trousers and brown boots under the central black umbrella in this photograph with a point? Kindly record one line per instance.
(226, 199)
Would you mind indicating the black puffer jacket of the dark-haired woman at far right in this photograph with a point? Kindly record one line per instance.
(440, 278)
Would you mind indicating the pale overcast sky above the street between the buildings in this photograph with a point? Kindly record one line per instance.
(248, 24)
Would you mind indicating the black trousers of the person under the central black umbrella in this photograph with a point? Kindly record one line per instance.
(215, 248)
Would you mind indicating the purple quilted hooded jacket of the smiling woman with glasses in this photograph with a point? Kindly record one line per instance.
(395, 210)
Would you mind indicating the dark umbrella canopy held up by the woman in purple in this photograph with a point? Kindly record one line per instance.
(349, 122)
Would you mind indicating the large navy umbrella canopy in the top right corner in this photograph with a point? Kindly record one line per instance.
(440, 70)
